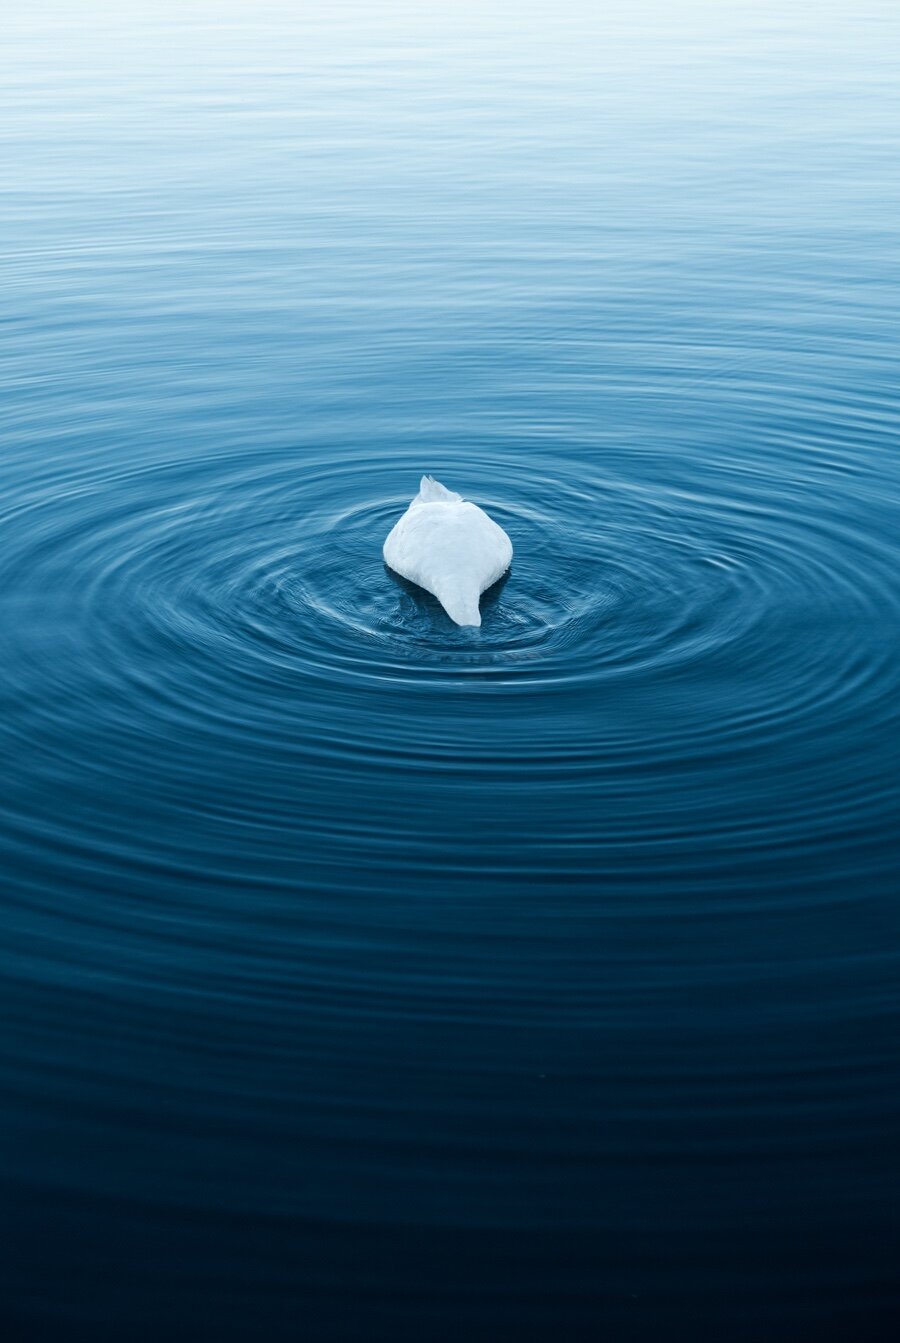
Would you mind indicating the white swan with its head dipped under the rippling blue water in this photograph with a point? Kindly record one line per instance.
(451, 549)
